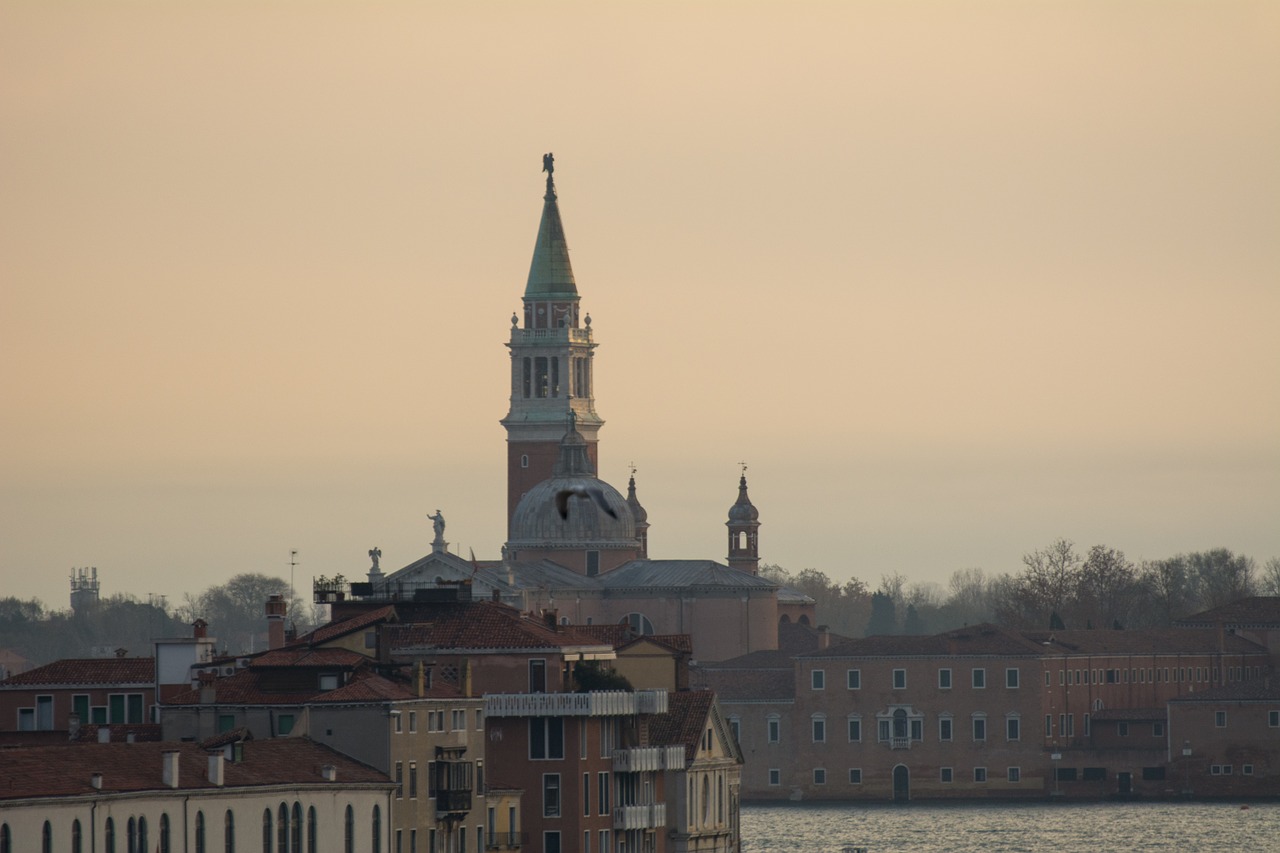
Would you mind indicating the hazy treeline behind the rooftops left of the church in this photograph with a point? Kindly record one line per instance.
(235, 612)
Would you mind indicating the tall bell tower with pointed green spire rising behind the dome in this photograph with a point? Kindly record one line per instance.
(551, 362)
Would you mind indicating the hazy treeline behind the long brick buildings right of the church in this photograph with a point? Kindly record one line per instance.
(1058, 587)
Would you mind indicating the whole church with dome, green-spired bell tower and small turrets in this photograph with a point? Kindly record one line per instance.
(577, 546)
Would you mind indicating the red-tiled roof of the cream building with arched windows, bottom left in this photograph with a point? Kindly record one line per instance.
(60, 772)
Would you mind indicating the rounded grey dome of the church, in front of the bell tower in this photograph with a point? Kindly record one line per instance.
(537, 522)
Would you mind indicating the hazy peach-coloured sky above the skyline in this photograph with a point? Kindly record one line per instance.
(954, 280)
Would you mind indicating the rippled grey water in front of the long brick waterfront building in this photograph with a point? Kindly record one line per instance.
(1014, 828)
